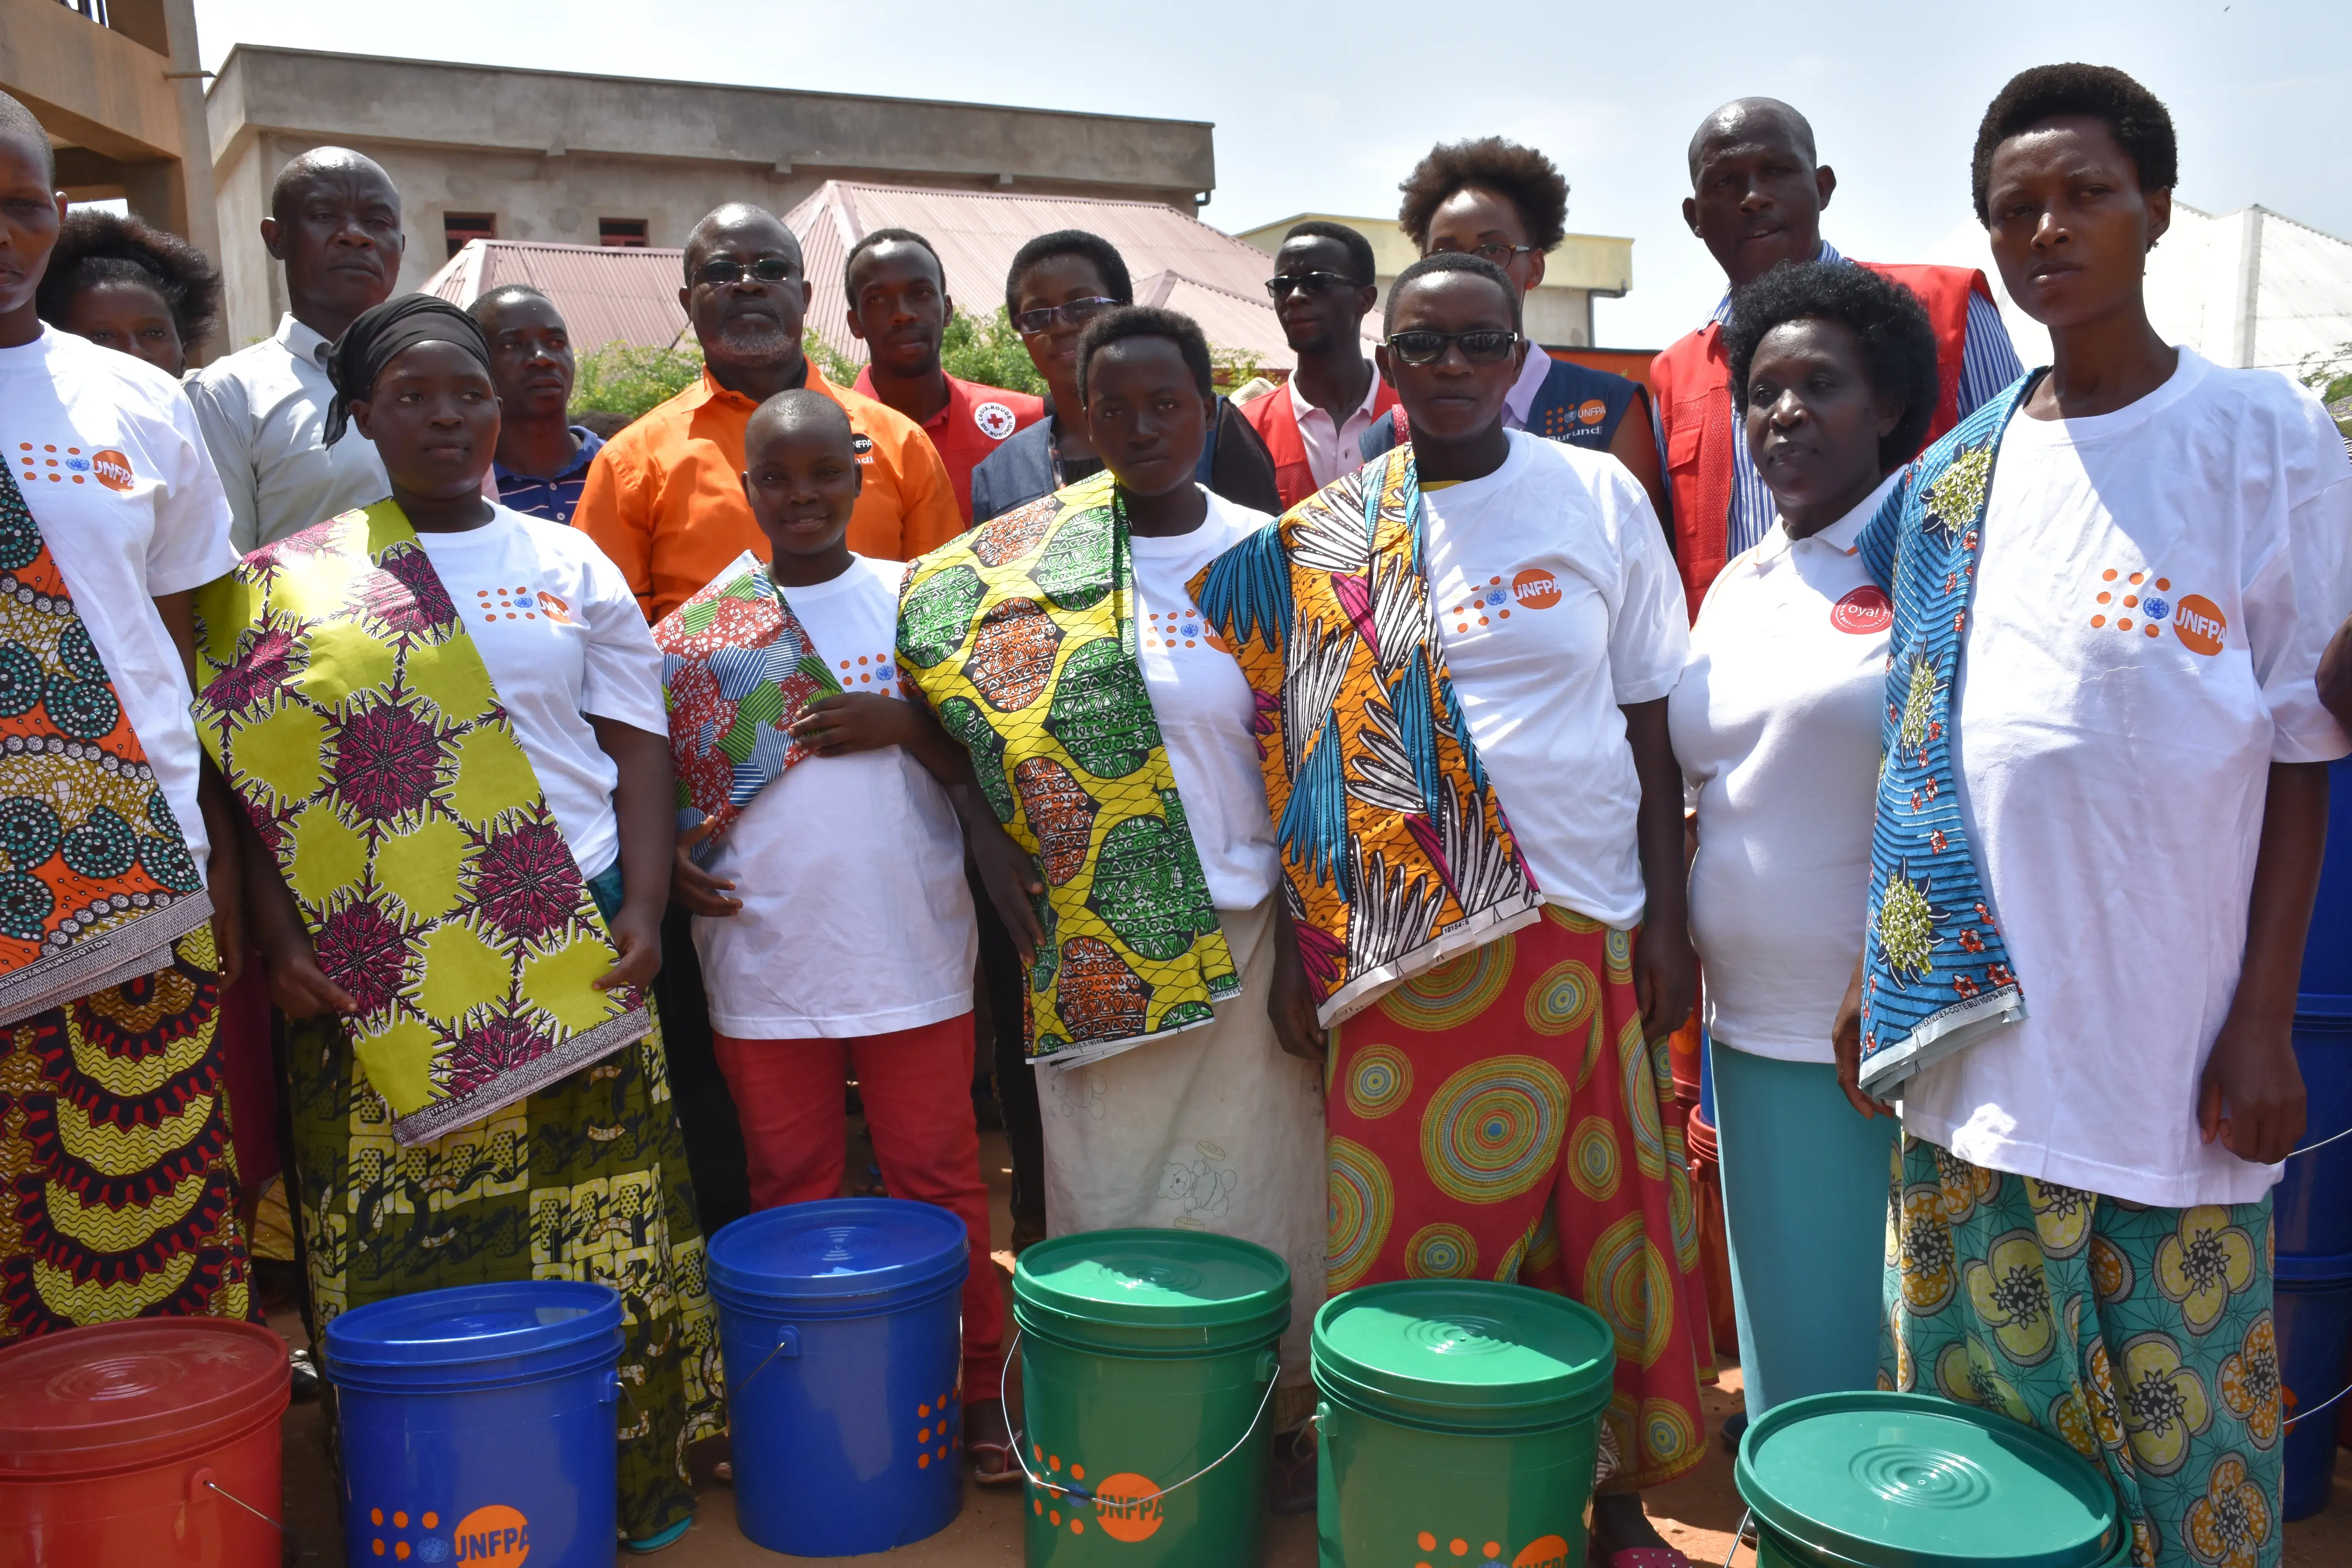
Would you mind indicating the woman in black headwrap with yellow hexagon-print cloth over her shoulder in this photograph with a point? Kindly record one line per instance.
(582, 1177)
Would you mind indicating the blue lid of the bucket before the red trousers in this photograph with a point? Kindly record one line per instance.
(838, 1252)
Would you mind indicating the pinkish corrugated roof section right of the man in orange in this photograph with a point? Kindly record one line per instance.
(1203, 272)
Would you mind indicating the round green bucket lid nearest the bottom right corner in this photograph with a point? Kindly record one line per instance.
(1920, 1482)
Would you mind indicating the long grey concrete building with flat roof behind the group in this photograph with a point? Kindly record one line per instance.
(500, 154)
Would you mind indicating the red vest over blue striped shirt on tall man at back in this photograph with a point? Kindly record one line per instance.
(1695, 401)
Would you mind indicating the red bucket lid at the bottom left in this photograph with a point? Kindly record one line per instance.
(131, 1395)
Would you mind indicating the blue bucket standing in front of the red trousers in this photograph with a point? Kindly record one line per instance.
(841, 1325)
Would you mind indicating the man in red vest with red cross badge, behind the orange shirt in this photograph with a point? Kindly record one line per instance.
(900, 309)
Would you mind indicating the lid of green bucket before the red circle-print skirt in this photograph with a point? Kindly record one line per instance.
(1464, 1355)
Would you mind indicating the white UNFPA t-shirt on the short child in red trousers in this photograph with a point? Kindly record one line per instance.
(855, 918)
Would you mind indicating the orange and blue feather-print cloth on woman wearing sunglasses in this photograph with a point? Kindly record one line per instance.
(1394, 843)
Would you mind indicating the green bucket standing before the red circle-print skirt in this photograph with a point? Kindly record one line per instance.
(1459, 1426)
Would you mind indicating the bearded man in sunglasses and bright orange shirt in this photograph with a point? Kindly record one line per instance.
(667, 495)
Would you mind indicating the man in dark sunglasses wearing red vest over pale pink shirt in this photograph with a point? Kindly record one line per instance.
(1323, 290)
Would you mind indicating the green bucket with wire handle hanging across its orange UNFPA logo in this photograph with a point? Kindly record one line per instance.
(1147, 1372)
